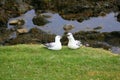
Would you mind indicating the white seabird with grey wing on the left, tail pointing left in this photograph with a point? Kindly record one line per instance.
(55, 45)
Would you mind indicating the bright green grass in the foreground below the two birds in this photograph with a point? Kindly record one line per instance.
(34, 62)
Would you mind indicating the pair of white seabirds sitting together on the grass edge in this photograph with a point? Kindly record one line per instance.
(72, 43)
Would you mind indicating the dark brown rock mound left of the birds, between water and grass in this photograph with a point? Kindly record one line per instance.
(34, 36)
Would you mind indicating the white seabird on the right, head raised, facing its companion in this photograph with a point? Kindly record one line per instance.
(72, 43)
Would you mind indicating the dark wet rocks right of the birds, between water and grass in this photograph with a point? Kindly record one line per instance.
(100, 40)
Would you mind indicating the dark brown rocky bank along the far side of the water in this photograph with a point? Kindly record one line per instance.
(69, 9)
